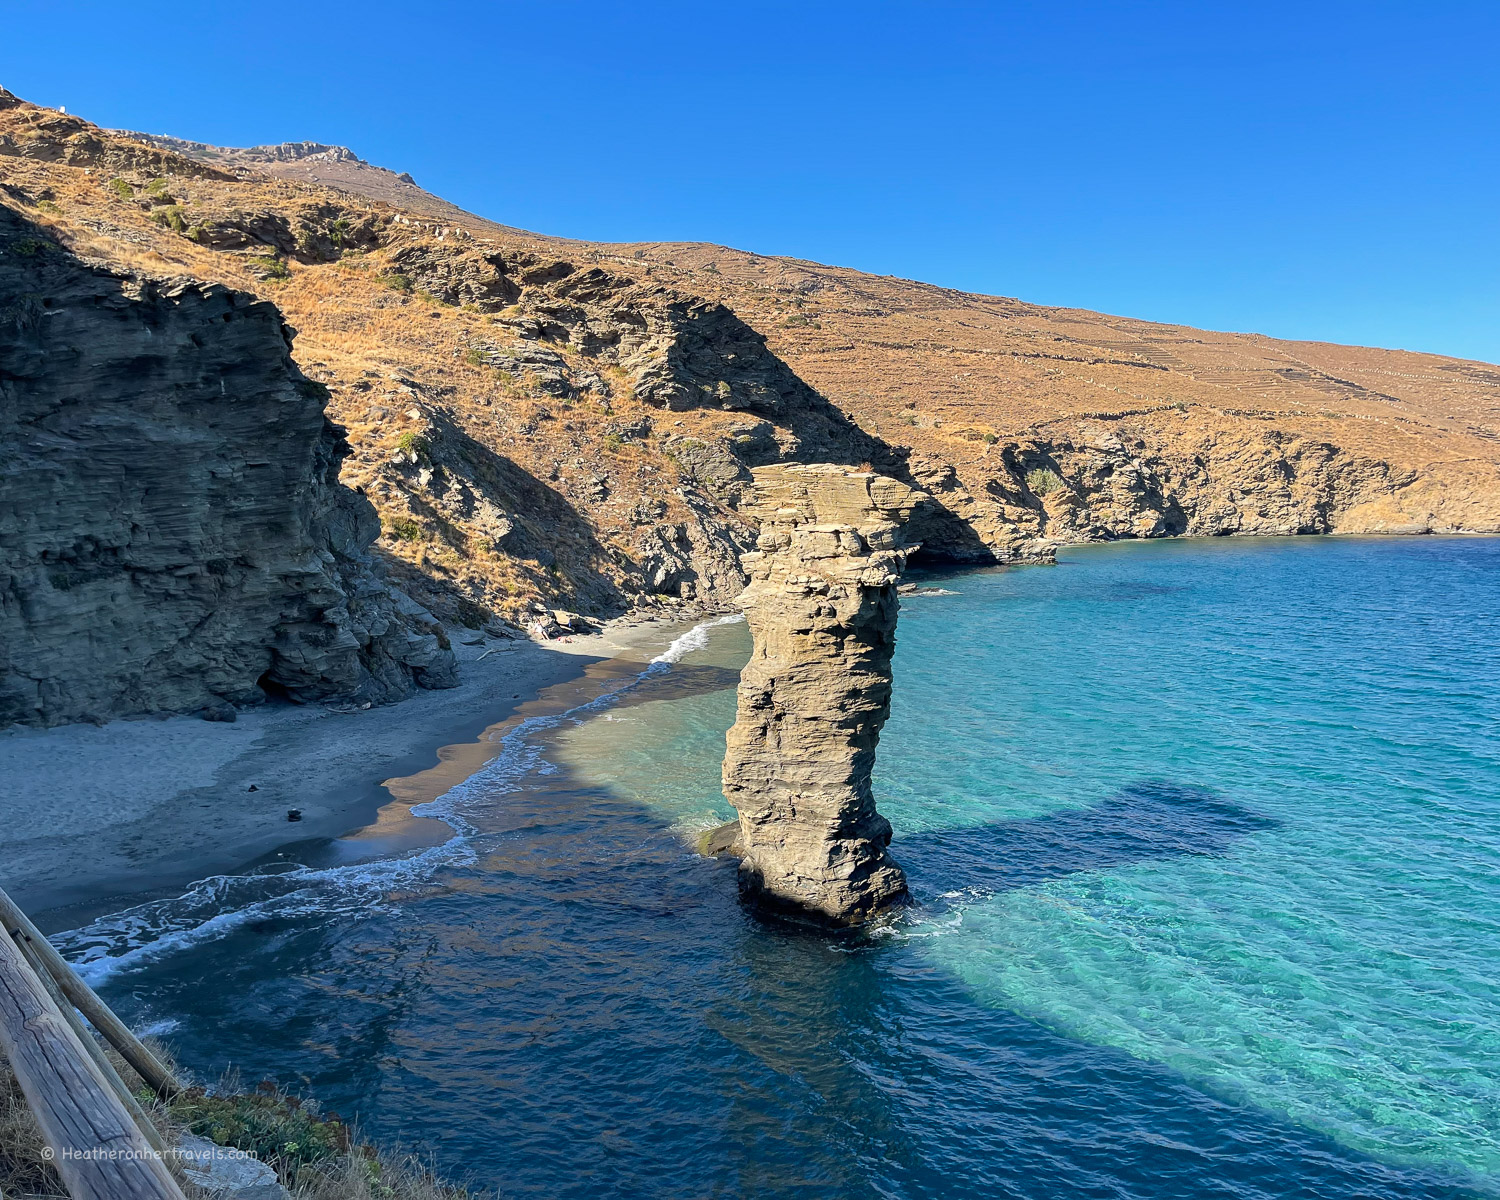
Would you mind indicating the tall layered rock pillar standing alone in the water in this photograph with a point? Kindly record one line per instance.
(823, 607)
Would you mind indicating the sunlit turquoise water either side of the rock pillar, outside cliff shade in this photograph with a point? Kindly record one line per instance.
(1337, 962)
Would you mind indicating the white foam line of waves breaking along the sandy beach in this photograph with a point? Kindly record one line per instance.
(217, 907)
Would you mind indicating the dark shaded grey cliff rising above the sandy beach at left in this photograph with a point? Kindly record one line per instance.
(173, 535)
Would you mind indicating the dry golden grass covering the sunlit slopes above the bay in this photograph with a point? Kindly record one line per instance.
(958, 379)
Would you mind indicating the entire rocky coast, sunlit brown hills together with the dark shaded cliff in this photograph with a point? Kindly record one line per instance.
(542, 425)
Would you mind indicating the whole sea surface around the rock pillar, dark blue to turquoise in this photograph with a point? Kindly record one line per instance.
(1207, 847)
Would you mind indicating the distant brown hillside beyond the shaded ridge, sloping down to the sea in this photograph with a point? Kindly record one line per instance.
(1061, 425)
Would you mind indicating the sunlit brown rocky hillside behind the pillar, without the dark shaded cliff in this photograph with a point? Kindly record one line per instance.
(550, 422)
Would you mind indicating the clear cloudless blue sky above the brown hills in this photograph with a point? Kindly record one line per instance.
(1312, 170)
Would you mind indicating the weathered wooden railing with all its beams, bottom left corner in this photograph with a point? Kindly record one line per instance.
(101, 1142)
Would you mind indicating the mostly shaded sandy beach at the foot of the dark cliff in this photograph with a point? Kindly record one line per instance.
(104, 818)
